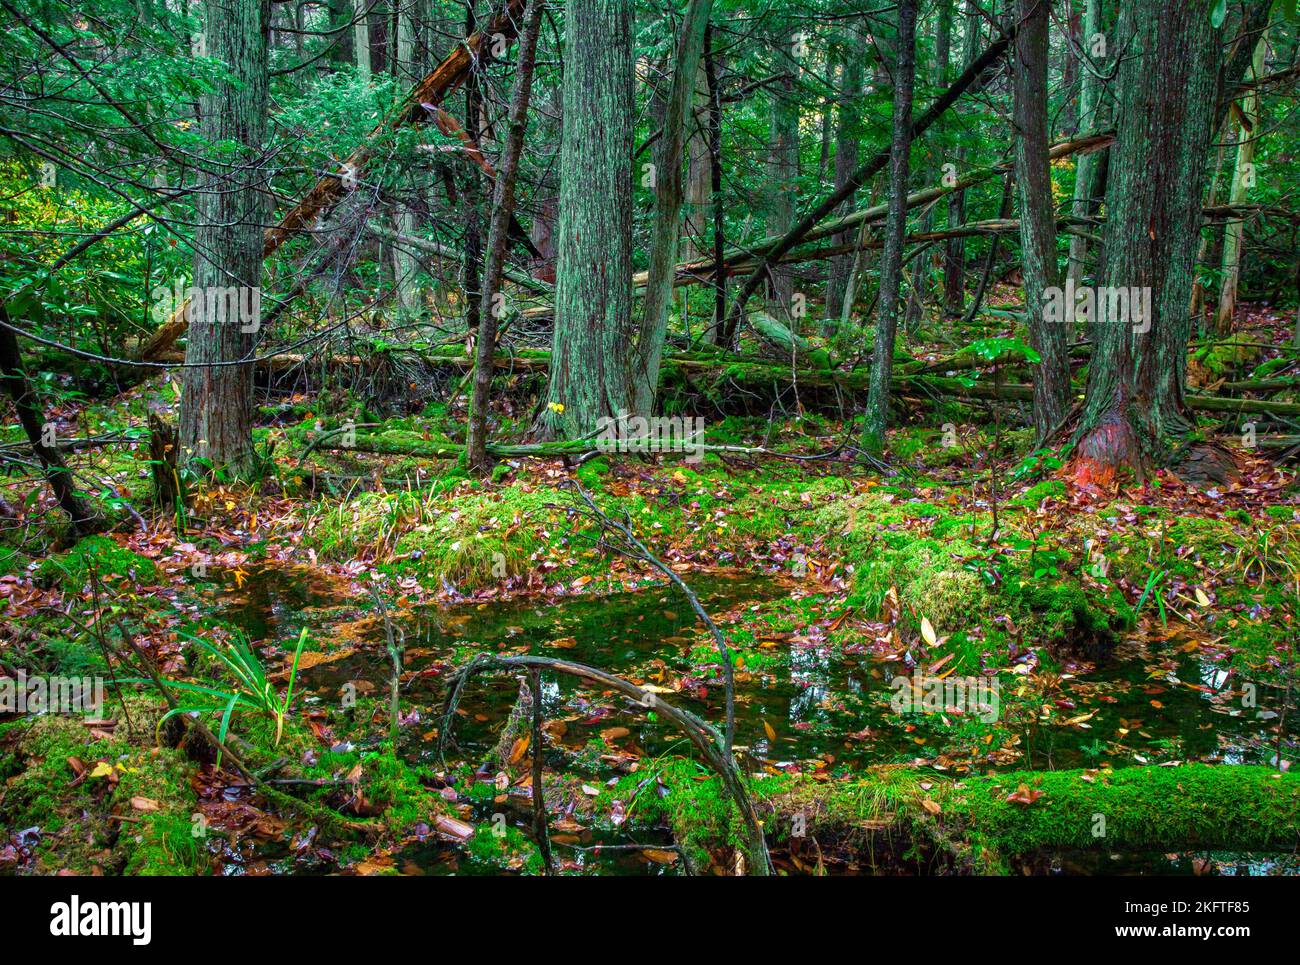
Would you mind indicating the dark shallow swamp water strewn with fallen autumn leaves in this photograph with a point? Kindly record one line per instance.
(801, 704)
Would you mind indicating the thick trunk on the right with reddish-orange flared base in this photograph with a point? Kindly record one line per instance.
(1136, 412)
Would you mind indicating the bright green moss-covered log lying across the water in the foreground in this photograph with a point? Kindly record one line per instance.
(981, 823)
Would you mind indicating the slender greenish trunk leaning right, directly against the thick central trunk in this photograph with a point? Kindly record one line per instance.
(665, 231)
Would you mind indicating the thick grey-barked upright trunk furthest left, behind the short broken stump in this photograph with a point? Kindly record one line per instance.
(216, 409)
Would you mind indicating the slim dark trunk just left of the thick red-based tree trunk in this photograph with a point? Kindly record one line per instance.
(1038, 219)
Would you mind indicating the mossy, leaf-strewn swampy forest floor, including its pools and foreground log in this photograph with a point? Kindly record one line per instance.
(1139, 646)
